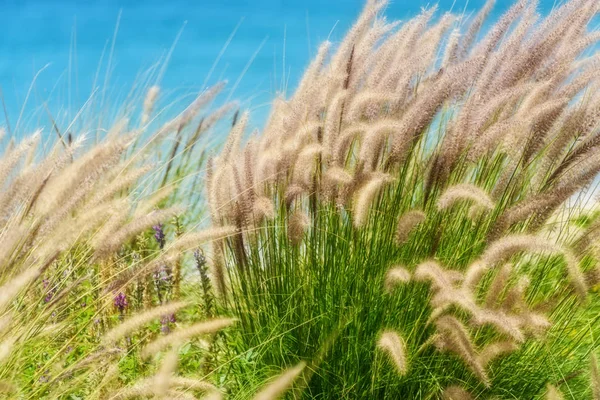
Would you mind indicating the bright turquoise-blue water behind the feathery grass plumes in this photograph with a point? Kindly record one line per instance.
(73, 40)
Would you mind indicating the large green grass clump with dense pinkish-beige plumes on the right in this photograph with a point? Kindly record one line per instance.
(417, 183)
